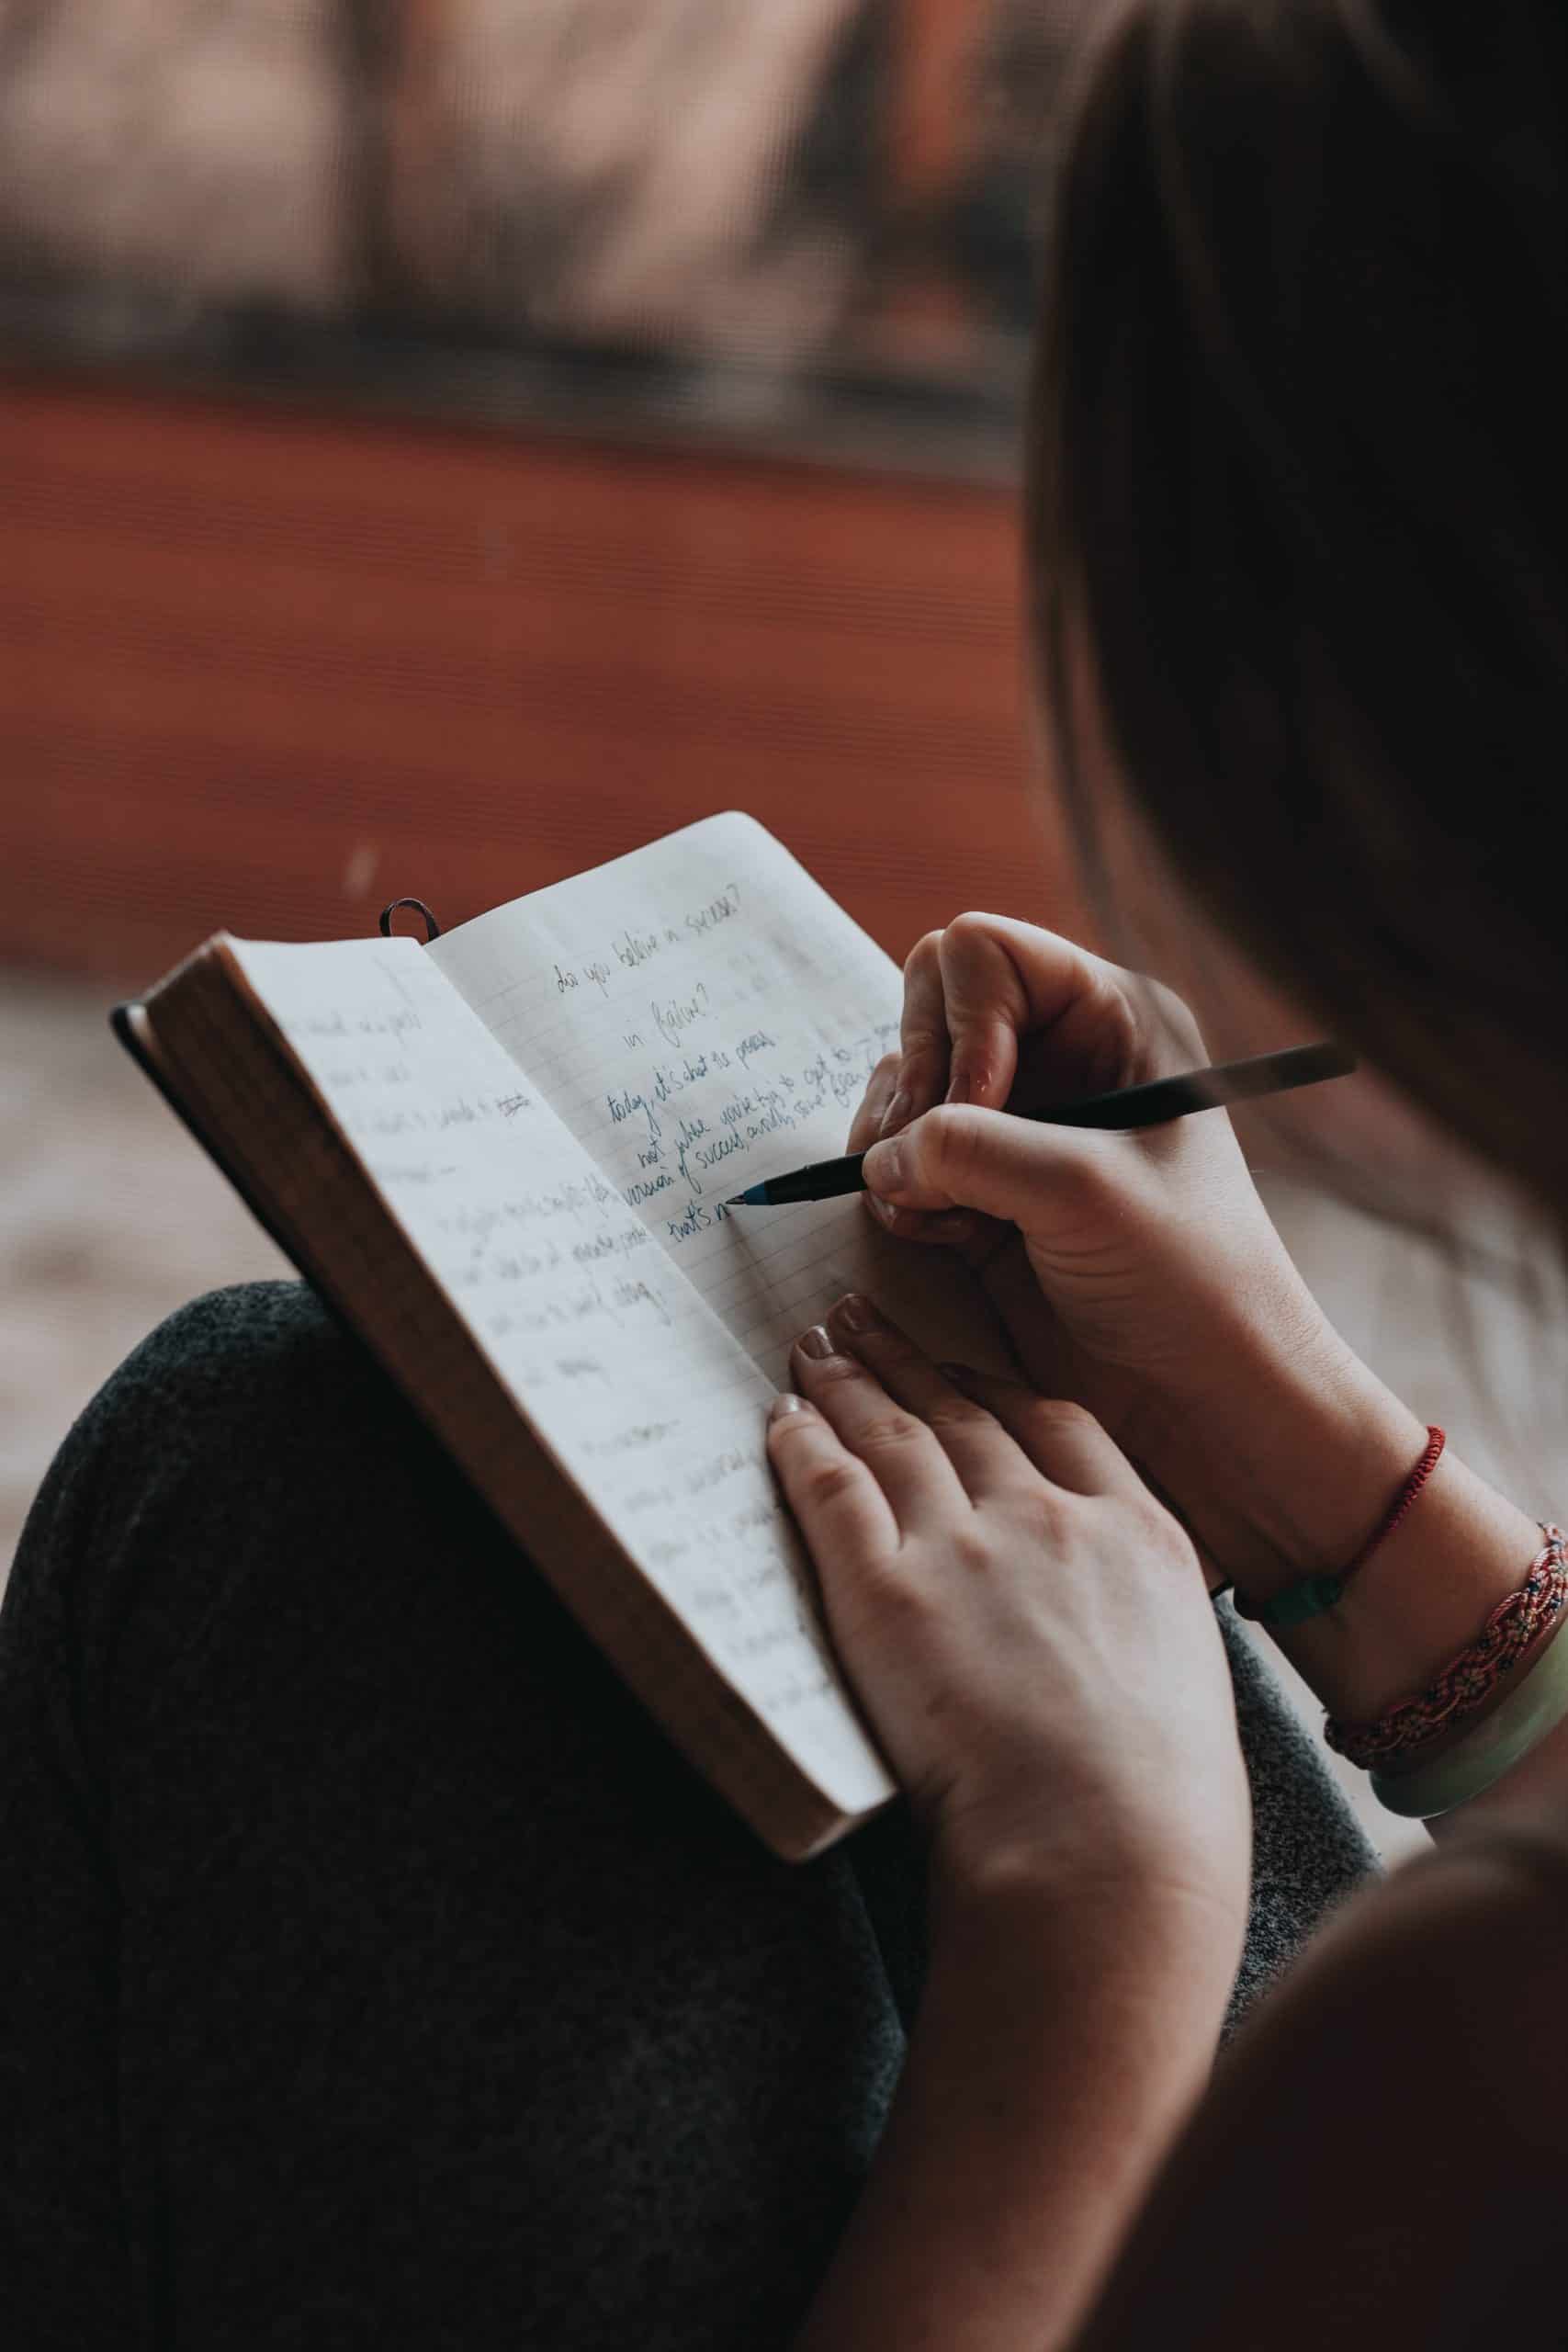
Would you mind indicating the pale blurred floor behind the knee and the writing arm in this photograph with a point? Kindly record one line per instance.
(112, 1217)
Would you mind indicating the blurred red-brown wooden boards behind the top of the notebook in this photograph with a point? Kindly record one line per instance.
(267, 671)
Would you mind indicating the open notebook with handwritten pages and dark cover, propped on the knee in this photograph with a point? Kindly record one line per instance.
(504, 1161)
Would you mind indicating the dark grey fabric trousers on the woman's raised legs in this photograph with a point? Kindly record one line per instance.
(370, 1967)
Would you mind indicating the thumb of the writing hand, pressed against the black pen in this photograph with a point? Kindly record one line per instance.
(996, 1163)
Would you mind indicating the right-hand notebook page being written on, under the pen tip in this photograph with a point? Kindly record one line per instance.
(702, 1015)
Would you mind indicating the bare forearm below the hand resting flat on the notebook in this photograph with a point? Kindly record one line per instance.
(1061, 2045)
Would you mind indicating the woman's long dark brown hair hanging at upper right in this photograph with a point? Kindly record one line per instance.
(1299, 472)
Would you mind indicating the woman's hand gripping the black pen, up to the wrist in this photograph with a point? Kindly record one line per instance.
(1137, 1274)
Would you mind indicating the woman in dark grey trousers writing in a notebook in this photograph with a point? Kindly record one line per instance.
(375, 1975)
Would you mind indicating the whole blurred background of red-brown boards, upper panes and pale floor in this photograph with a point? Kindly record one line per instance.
(445, 443)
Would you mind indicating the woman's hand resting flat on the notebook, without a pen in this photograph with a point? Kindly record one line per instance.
(1024, 1624)
